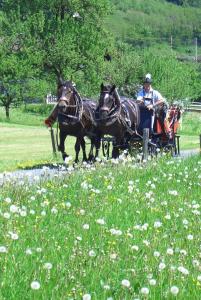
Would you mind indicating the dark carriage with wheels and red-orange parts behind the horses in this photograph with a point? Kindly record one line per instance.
(146, 141)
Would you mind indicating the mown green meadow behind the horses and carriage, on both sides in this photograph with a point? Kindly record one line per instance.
(26, 142)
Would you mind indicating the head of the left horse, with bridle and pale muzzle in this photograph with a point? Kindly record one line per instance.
(65, 94)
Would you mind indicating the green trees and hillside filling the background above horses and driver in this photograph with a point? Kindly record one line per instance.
(91, 42)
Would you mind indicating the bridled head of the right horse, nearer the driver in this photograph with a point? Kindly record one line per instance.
(107, 100)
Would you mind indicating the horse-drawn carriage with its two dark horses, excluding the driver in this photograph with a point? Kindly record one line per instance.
(114, 124)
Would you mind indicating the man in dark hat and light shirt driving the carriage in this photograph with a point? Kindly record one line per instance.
(150, 98)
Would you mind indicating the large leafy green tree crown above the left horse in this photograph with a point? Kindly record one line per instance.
(62, 37)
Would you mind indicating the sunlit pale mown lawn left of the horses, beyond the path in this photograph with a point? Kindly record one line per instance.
(22, 146)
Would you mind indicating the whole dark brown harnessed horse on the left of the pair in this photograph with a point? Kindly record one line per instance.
(75, 118)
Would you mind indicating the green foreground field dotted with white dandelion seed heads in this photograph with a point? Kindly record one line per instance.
(106, 231)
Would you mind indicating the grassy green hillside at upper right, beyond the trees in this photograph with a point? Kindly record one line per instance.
(146, 23)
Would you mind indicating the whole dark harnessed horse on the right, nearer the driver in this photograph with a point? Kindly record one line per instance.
(115, 117)
